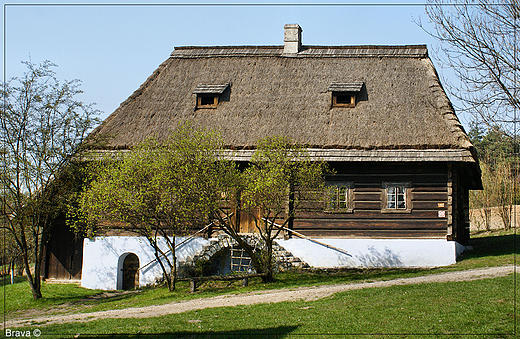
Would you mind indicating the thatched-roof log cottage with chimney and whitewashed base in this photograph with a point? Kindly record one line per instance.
(377, 114)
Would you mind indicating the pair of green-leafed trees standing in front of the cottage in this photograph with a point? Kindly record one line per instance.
(163, 188)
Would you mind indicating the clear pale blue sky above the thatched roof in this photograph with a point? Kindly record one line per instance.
(114, 48)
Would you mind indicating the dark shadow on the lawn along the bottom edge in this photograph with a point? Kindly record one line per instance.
(274, 332)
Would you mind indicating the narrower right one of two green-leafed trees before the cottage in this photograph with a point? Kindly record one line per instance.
(279, 177)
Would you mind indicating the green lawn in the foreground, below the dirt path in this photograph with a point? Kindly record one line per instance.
(482, 308)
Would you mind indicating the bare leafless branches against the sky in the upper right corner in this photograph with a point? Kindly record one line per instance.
(479, 42)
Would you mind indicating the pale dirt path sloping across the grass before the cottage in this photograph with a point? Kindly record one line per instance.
(258, 297)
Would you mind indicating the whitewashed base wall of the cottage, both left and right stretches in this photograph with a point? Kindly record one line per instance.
(103, 256)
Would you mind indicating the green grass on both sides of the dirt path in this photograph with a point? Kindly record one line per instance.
(484, 306)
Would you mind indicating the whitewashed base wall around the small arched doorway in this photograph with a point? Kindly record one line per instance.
(103, 258)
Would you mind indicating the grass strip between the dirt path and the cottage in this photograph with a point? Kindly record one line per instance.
(495, 249)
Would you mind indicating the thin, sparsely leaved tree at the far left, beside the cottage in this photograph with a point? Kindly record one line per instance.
(43, 127)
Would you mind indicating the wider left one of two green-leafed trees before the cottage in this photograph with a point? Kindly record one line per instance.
(158, 190)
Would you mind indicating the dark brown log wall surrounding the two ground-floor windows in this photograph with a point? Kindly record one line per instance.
(429, 199)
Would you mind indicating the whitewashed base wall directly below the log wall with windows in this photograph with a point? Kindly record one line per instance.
(375, 252)
